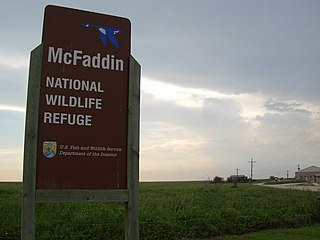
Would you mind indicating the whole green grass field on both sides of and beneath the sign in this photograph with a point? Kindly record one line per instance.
(181, 210)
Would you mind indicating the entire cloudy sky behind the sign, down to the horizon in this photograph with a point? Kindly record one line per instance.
(223, 82)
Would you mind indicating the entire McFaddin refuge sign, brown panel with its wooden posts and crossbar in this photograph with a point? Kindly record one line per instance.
(82, 123)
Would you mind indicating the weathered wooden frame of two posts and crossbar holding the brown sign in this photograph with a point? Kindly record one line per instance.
(31, 195)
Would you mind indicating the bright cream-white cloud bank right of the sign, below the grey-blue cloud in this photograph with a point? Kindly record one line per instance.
(224, 130)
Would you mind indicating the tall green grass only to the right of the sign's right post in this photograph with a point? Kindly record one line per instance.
(198, 210)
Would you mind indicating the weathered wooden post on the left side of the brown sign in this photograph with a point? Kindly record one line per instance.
(30, 147)
